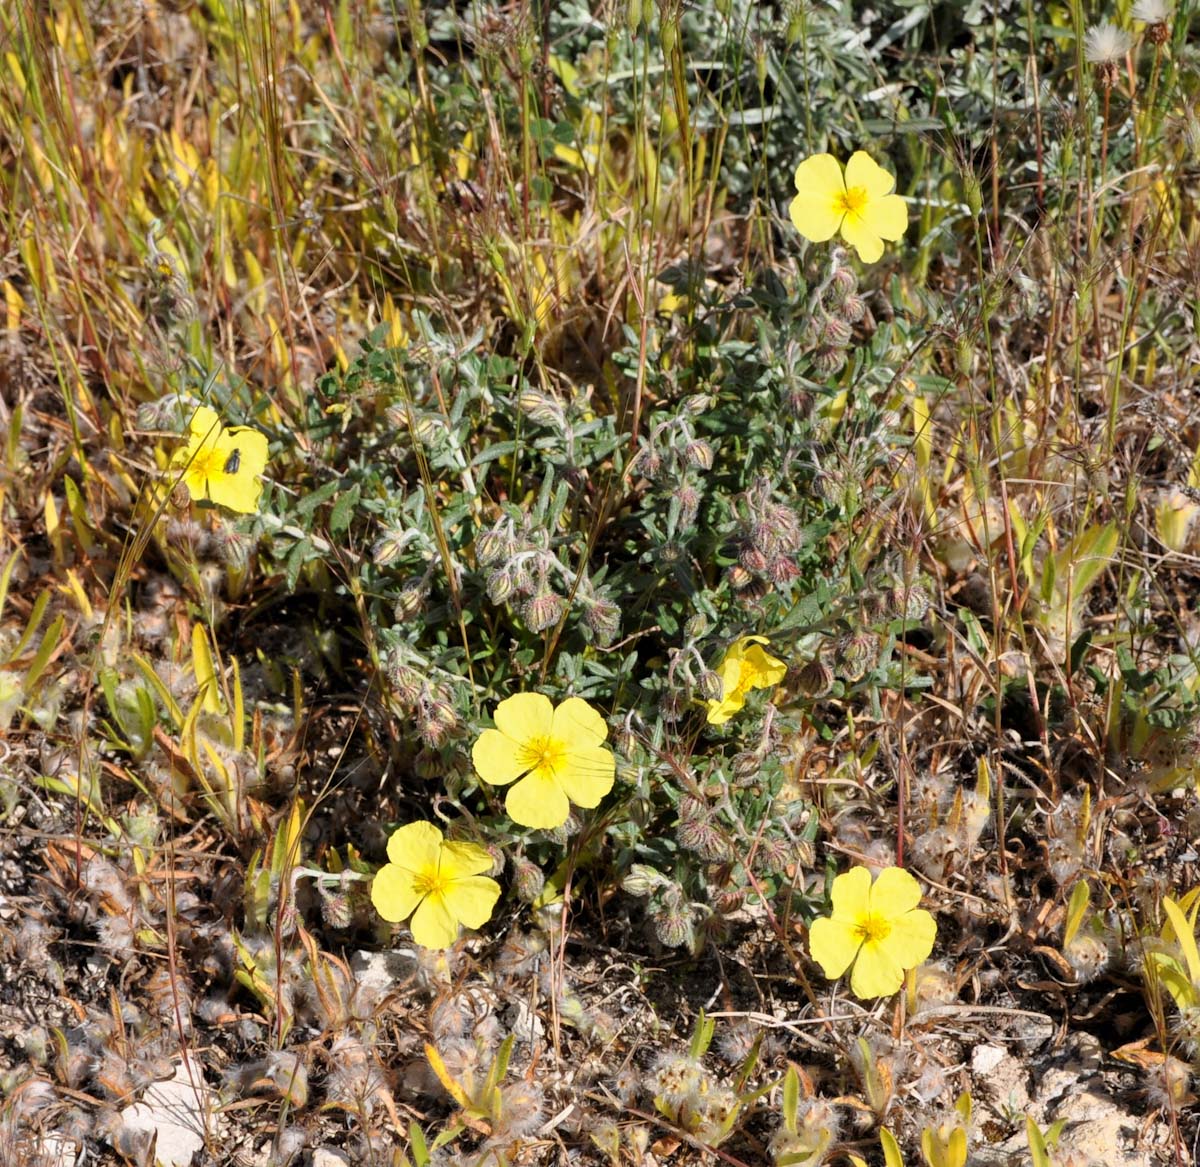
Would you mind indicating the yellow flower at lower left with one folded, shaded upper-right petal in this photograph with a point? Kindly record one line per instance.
(439, 884)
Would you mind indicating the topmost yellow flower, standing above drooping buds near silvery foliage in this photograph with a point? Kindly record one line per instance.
(859, 204)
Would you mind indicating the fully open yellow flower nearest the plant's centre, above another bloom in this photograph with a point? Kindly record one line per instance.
(559, 756)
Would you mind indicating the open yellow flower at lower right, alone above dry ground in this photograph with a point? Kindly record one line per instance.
(877, 927)
